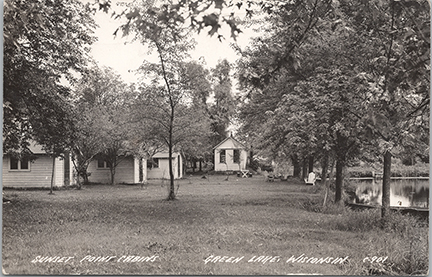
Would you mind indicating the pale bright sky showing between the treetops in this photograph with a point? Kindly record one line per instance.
(124, 56)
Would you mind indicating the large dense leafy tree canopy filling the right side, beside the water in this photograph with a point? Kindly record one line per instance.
(355, 79)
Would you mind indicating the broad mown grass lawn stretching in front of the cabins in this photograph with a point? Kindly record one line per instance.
(236, 218)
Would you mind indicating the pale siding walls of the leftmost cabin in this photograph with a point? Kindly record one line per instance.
(39, 174)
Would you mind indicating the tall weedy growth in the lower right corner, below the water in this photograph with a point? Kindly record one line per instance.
(406, 248)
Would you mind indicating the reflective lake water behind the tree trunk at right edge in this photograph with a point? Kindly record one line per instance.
(403, 193)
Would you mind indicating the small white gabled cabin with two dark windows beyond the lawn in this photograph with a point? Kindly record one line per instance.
(230, 155)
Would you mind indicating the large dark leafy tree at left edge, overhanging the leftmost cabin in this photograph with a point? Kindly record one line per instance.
(43, 41)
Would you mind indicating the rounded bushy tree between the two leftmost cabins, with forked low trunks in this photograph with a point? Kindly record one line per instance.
(102, 125)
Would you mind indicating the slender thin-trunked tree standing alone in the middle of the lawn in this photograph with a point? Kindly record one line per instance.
(165, 101)
